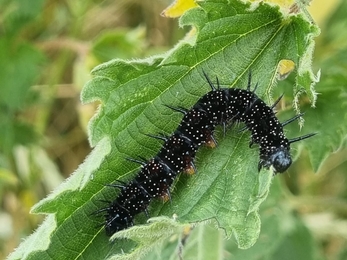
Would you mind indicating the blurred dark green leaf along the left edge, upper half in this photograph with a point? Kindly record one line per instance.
(20, 64)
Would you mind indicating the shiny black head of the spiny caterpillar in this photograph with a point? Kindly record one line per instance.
(279, 158)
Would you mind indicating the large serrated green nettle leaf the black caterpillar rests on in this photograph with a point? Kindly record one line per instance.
(230, 41)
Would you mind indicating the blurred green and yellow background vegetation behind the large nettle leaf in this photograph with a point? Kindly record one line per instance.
(47, 49)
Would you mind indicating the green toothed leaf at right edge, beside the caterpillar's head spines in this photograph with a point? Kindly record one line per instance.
(328, 118)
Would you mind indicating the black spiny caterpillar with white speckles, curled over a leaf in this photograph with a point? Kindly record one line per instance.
(220, 106)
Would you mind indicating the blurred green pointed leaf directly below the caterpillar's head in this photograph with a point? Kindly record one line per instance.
(283, 234)
